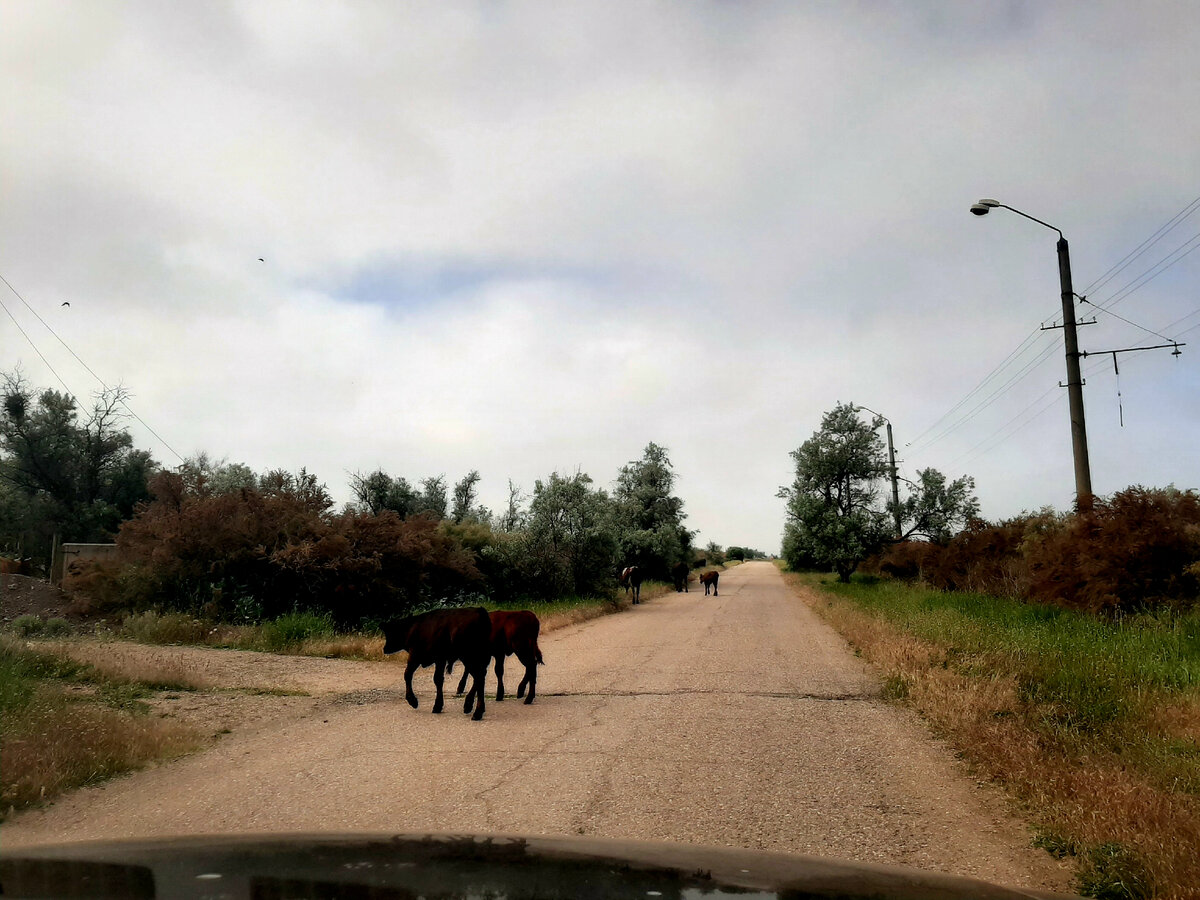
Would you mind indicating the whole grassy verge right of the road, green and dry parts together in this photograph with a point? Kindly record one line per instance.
(1095, 727)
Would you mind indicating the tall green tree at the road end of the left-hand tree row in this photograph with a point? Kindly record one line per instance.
(650, 518)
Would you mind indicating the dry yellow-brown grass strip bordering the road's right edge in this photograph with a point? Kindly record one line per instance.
(1089, 800)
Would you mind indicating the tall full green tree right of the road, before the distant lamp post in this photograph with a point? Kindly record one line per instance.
(833, 518)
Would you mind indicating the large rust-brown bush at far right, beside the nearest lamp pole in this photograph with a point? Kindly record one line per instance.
(1135, 551)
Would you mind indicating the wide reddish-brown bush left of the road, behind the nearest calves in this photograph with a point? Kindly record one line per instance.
(253, 555)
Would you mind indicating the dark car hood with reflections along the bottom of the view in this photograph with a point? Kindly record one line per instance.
(457, 866)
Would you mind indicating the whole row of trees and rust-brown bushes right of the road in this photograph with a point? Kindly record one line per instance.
(1135, 551)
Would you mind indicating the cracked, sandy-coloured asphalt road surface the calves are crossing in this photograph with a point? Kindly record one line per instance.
(737, 721)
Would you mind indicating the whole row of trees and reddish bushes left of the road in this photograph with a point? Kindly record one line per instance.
(217, 538)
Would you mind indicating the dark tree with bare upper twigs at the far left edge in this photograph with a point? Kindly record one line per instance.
(61, 475)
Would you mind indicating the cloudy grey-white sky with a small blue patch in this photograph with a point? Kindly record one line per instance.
(525, 238)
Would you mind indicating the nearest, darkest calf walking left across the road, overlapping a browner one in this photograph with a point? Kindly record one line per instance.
(435, 639)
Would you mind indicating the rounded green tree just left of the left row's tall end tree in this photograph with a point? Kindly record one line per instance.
(572, 541)
